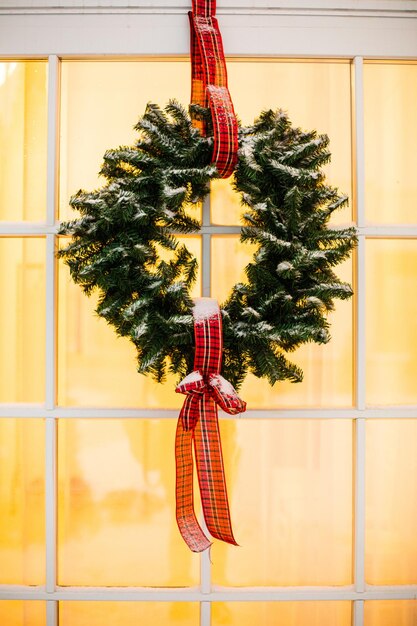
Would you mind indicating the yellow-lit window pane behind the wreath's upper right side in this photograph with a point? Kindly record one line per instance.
(316, 95)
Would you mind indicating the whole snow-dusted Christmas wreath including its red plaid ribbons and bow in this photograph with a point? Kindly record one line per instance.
(126, 245)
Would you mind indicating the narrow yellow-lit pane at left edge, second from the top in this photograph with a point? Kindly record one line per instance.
(22, 320)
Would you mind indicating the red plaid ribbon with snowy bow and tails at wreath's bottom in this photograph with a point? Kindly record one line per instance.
(205, 389)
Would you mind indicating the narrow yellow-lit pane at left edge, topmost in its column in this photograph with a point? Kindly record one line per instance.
(23, 139)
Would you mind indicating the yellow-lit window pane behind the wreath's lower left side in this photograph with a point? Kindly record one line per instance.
(96, 367)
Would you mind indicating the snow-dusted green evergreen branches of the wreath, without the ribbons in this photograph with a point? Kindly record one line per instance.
(151, 188)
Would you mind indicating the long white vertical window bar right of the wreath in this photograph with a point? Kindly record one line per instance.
(360, 347)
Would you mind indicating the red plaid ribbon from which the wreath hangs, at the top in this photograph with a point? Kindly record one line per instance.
(209, 84)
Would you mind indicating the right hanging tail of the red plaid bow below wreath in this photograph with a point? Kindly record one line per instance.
(210, 471)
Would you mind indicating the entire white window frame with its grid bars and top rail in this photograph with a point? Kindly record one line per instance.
(296, 28)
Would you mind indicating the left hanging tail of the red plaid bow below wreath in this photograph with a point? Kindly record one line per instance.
(187, 522)
